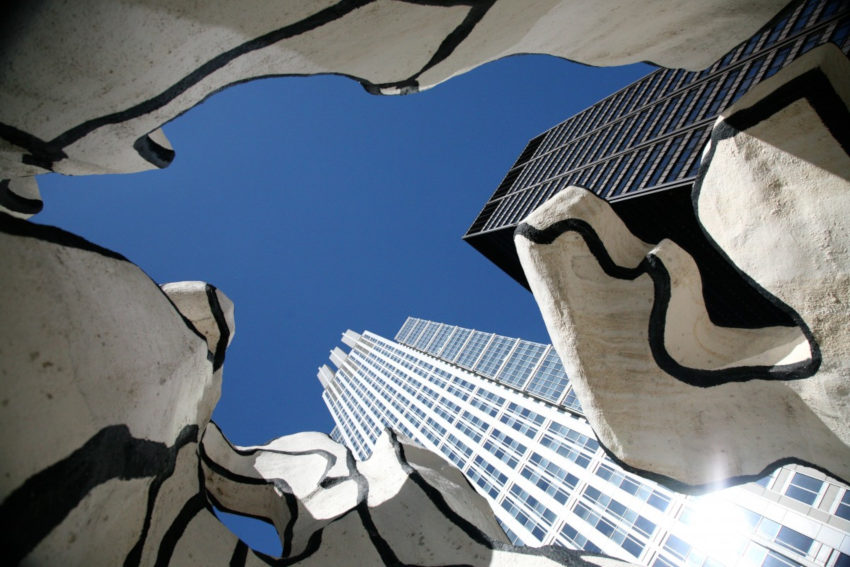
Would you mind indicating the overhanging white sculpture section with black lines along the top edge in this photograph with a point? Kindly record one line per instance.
(87, 86)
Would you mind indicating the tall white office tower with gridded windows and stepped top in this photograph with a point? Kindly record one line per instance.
(503, 411)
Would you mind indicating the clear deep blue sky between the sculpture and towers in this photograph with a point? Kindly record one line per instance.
(317, 207)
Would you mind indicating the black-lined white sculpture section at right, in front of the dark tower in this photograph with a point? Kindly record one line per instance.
(667, 391)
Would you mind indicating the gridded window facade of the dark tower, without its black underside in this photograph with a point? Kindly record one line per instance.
(583, 150)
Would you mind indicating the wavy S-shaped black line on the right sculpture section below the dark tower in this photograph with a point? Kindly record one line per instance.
(703, 378)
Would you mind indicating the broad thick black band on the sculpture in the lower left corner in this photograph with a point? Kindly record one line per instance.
(45, 499)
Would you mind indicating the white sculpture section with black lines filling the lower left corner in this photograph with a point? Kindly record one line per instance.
(108, 385)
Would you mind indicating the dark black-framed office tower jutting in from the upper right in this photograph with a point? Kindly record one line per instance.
(645, 140)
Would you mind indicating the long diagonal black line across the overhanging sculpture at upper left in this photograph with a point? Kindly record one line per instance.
(310, 23)
